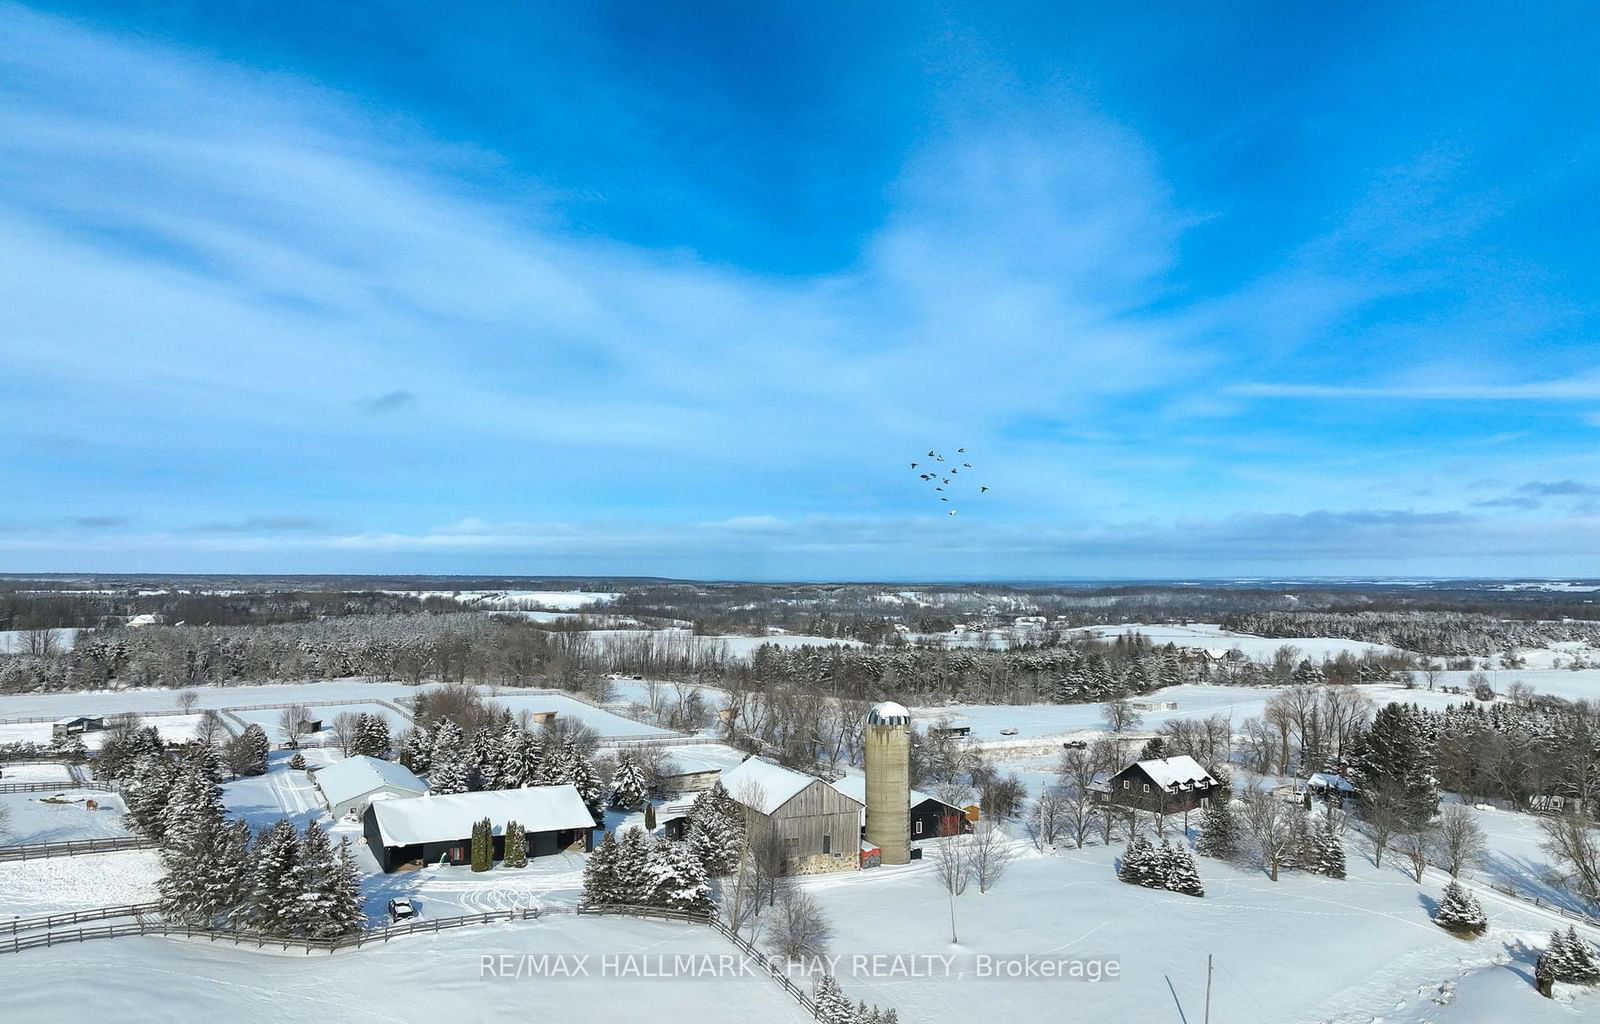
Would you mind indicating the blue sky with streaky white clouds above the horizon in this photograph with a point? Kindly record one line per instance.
(678, 289)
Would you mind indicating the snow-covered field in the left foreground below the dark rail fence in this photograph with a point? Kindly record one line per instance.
(420, 978)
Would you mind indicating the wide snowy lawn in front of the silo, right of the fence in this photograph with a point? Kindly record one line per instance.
(1303, 950)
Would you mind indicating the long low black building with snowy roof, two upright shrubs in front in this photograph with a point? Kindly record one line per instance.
(439, 830)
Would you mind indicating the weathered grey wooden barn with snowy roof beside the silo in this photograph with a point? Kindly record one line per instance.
(818, 826)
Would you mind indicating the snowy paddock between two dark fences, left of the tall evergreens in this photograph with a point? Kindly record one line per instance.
(76, 884)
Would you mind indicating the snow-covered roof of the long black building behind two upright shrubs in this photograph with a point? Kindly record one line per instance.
(439, 820)
